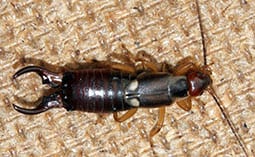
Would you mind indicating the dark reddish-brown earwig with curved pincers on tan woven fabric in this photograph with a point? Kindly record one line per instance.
(113, 89)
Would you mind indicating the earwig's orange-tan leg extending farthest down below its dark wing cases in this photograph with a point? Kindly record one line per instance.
(158, 124)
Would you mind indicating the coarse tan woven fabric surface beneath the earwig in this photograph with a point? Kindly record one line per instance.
(71, 32)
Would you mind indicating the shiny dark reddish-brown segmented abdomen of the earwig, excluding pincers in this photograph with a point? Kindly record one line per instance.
(94, 90)
